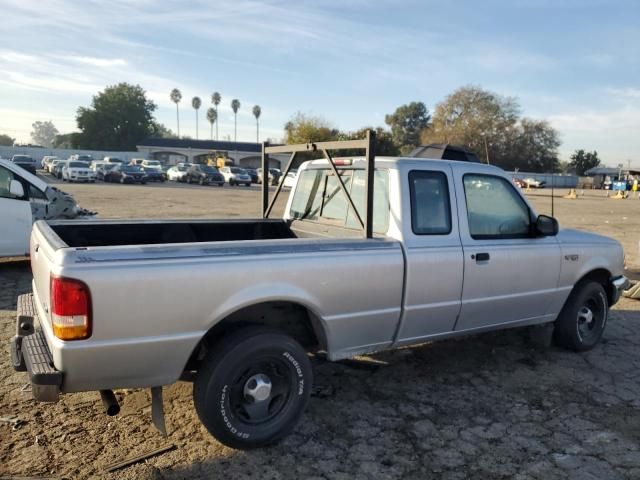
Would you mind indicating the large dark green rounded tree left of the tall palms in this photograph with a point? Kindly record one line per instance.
(119, 118)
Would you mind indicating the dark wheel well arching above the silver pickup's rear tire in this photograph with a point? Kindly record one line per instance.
(292, 318)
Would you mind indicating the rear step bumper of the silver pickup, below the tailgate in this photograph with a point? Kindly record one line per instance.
(30, 353)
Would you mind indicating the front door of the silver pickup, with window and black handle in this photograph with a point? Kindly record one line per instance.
(510, 274)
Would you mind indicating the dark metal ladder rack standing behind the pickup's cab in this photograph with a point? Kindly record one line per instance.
(368, 144)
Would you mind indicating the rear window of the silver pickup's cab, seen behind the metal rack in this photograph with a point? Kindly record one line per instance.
(319, 198)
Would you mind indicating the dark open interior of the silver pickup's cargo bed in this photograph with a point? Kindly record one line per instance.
(144, 232)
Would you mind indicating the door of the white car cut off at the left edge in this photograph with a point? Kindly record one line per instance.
(15, 217)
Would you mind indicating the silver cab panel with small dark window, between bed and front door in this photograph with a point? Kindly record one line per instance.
(434, 262)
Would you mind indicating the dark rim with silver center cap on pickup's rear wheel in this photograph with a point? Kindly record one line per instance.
(263, 391)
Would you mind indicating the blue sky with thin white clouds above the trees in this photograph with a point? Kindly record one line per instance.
(573, 63)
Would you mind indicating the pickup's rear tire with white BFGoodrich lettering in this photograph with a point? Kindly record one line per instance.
(244, 358)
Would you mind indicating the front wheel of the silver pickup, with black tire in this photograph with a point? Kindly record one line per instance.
(582, 321)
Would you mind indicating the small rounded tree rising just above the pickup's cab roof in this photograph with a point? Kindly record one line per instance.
(407, 124)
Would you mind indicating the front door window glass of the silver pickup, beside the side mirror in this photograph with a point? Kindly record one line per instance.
(494, 208)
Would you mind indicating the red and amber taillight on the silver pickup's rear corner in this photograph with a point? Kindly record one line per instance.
(70, 309)
